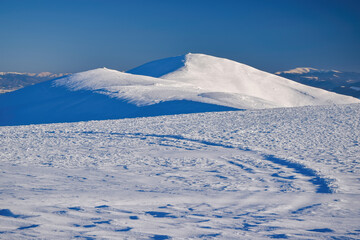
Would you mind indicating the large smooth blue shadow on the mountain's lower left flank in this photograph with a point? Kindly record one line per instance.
(43, 103)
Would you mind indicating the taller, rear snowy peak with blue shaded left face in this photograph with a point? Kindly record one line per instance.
(213, 74)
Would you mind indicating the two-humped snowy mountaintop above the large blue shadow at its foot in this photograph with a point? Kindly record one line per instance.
(202, 78)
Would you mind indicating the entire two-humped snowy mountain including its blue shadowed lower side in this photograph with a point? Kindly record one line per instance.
(183, 84)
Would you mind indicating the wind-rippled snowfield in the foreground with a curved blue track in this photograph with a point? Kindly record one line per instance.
(288, 173)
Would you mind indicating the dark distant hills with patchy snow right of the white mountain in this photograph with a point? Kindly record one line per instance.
(347, 83)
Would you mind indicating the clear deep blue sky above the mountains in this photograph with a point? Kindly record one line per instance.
(272, 35)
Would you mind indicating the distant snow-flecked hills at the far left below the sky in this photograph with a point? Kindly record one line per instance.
(11, 81)
